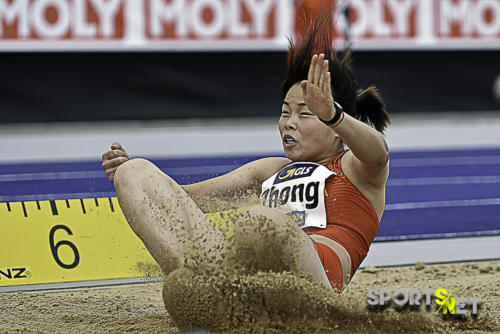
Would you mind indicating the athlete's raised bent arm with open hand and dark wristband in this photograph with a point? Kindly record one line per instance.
(370, 154)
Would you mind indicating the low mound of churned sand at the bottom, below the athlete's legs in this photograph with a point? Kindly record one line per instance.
(283, 302)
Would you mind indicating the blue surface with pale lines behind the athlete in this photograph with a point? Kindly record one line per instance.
(430, 194)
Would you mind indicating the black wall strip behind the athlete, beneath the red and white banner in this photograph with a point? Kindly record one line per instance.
(51, 87)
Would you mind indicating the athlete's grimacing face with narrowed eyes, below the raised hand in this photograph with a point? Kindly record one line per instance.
(304, 136)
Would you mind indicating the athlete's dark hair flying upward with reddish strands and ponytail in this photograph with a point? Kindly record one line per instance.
(365, 105)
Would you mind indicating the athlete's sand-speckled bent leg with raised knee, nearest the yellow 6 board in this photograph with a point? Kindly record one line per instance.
(166, 219)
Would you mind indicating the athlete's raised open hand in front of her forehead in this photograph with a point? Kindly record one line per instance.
(317, 89)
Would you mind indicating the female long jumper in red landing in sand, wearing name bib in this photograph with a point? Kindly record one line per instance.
(324, 201)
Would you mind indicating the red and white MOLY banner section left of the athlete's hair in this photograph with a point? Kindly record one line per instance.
(144, 24)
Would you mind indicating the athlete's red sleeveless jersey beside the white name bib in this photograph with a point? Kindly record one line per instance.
(351, 219)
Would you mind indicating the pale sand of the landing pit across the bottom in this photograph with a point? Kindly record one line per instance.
(140, 308)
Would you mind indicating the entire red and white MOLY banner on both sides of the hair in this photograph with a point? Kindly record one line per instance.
(33, 25)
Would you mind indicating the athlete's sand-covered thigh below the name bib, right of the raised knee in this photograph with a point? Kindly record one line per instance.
(277, 243)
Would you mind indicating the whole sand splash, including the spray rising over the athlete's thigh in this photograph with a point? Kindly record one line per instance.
(259, 290)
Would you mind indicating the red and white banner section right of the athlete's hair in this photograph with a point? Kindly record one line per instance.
(421, 24)
